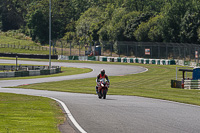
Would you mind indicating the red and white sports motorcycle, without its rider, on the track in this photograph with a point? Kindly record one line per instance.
(103, 88)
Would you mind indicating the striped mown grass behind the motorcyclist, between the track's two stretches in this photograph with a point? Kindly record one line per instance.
(154, 83)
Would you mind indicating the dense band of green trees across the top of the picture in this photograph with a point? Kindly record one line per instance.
(105, 20)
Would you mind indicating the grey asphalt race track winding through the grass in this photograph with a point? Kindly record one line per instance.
(116, 114)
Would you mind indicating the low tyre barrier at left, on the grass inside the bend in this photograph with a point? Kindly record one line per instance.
(28, 71)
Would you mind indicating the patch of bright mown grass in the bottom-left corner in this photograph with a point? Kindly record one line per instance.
(29, 114)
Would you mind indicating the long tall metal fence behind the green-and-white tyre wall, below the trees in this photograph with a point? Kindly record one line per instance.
(131, 49)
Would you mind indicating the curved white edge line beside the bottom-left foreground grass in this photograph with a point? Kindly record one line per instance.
(70, 116)
